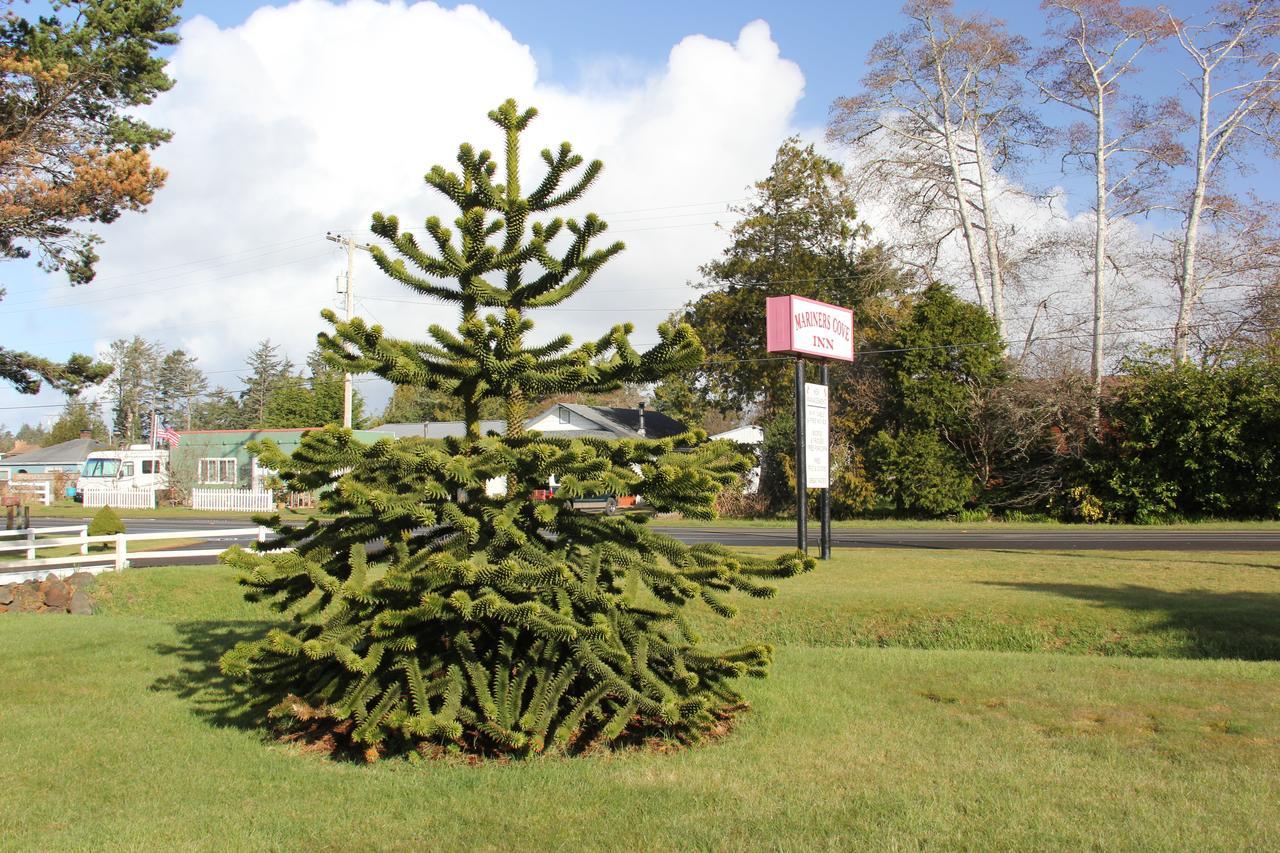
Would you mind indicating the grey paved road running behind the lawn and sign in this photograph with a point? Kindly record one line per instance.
(1045, 540)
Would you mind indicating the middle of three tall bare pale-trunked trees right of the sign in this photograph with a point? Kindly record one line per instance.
(1123, 142)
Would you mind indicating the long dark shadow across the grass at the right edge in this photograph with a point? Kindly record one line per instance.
(1244, 626)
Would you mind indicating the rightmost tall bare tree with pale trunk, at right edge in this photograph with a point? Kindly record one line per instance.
(1235, 84)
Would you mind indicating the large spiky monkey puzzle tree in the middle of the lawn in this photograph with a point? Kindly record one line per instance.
(436, 612)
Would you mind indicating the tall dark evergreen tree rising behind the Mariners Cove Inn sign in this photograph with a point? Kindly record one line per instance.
(799, 235)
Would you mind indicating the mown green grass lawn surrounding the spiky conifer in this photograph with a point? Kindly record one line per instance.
(898, 717)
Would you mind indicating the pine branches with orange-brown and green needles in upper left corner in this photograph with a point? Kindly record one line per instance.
(72, 150)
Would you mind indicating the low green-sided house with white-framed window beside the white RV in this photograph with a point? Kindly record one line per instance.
(221, 458)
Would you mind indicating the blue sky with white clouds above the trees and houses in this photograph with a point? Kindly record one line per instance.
(296, 120)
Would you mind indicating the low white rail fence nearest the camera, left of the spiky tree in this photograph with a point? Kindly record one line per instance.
(117, 560)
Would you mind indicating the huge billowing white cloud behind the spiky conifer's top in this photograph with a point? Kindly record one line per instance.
(310, 117)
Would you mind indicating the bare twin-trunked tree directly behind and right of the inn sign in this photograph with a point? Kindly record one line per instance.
(941, 116)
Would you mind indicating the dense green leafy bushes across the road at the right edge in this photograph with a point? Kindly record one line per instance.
(1194, 441)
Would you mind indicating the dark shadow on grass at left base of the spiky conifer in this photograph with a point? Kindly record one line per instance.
(213, 696)
